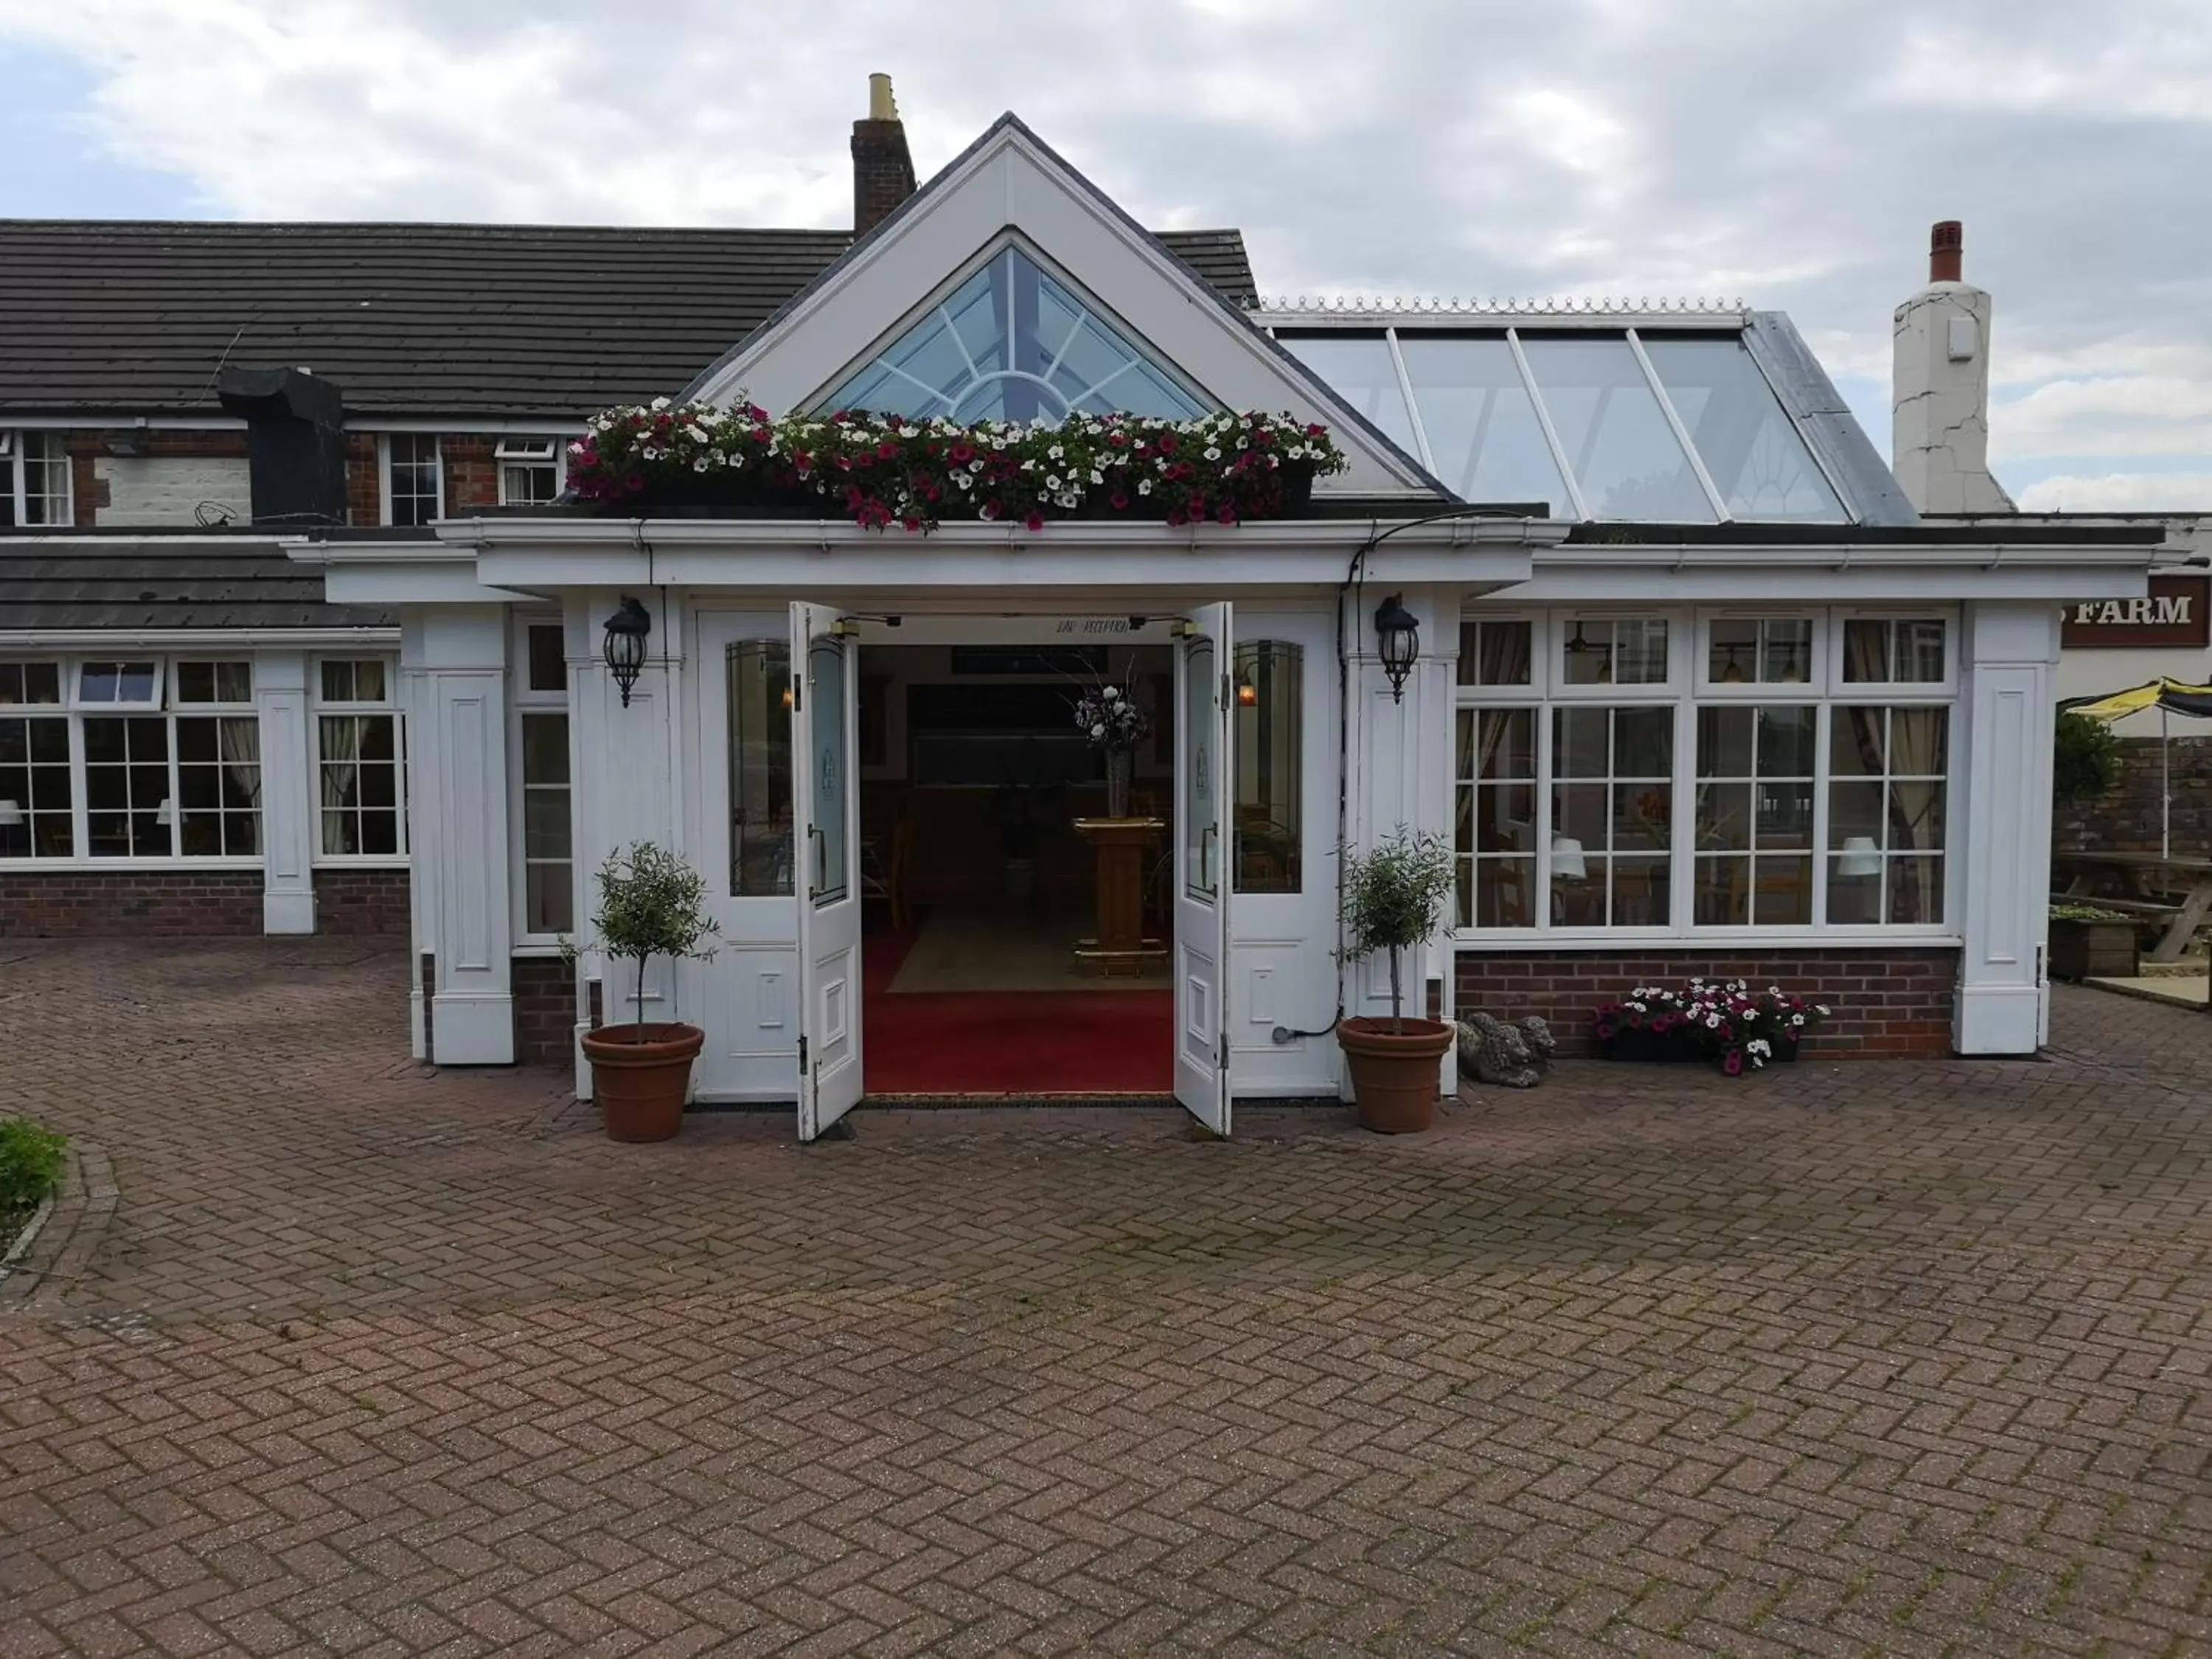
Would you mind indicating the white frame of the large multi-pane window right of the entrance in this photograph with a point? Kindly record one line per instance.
(1687, 689)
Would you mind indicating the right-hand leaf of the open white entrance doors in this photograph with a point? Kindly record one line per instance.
(1204, 780)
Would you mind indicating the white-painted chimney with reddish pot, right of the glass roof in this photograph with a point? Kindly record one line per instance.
(1939, 437)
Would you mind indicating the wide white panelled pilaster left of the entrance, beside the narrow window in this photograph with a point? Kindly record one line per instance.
(461, 833)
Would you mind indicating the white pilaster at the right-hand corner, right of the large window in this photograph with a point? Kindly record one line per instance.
(2003, 851)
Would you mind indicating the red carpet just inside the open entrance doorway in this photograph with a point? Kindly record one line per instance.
(1010, 1043)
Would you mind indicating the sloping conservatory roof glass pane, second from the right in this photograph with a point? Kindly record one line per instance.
(1614, 432)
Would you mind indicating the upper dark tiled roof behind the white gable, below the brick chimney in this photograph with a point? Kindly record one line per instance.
(134, 317)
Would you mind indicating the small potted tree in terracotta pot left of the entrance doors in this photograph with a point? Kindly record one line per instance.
(651, 904)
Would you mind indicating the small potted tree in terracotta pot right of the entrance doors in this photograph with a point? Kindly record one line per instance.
(1395, 899)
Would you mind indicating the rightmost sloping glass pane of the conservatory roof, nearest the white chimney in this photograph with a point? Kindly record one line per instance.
(1753, 452)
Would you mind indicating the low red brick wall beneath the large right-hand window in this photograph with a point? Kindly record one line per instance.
(1884, 1001)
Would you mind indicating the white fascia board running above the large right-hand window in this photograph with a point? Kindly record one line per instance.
(1839, 574)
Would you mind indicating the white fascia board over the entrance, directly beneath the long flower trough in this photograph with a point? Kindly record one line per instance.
(782, 556)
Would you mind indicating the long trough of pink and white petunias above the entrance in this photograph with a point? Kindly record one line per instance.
(888, 470)
